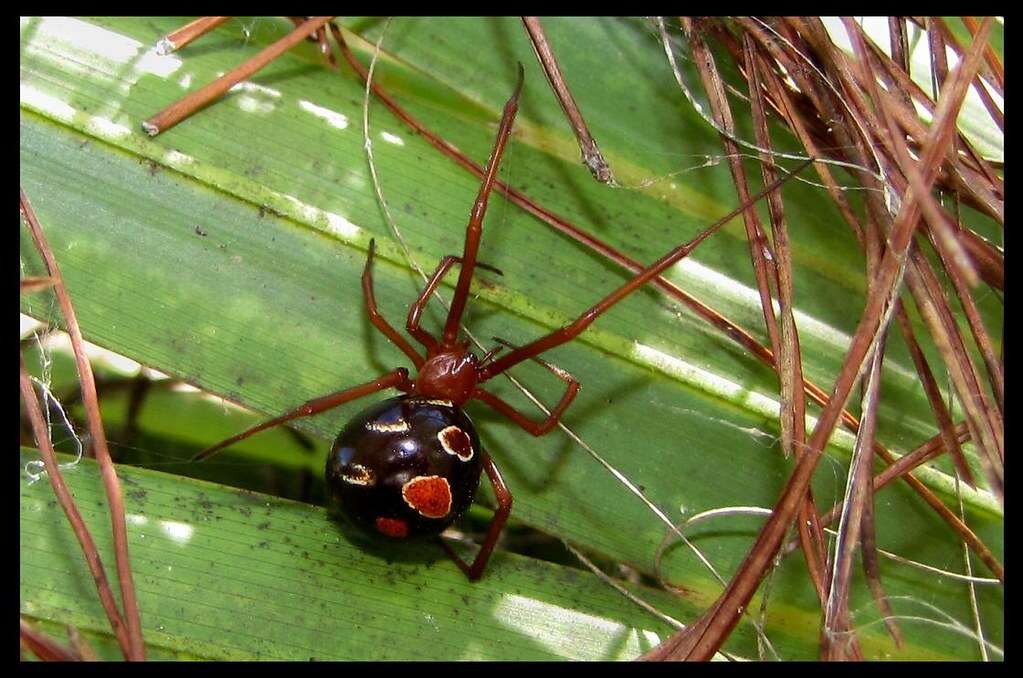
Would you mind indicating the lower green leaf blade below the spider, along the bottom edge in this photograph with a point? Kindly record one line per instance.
(226, 574)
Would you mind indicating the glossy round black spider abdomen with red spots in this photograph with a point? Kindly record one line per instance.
(405, 468)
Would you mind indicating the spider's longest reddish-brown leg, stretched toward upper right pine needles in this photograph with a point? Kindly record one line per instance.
(572, 331)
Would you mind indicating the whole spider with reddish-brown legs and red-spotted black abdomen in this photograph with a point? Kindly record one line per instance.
(411, 466)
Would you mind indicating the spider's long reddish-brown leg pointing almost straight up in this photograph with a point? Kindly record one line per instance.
(475, 229)
